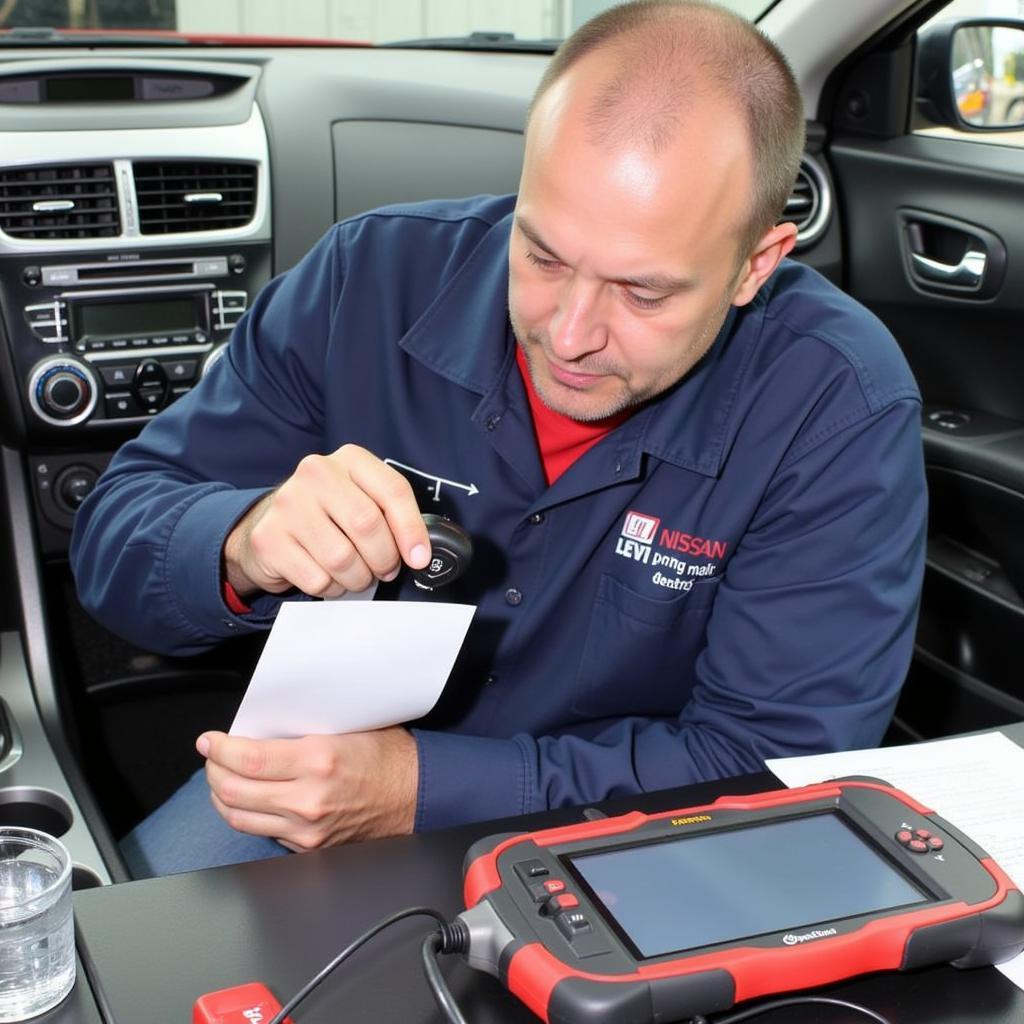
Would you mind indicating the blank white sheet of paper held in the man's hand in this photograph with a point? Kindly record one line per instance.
(333, 667)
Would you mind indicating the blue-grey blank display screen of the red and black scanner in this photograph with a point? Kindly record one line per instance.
(793, 876)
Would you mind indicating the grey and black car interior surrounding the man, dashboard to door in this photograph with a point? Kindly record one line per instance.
(153, 182)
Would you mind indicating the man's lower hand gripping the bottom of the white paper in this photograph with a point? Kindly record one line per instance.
(318, 791)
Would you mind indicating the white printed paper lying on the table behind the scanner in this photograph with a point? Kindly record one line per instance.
(973, 782)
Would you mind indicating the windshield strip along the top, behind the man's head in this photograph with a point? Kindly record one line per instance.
(321, 21)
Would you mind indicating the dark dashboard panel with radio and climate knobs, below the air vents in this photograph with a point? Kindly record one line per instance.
(101, 342)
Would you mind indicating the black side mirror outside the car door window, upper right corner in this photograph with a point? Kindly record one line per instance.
(971, 74)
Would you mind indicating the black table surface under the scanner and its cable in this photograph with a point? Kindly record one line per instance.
(152, 948)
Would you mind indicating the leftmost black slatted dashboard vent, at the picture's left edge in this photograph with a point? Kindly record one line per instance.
(60, 202)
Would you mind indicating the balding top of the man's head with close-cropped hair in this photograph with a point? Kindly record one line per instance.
(660, 62)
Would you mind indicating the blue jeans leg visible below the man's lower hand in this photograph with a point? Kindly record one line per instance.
(187, 834)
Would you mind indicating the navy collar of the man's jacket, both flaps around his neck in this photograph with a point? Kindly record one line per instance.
(464, 336)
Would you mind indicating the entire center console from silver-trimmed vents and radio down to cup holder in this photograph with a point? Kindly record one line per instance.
(135, 233)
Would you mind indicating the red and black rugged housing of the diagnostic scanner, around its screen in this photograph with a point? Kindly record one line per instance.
(526, 899)
